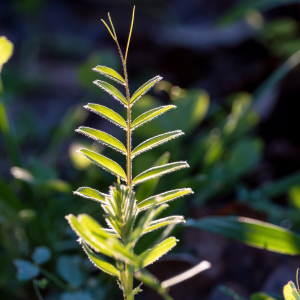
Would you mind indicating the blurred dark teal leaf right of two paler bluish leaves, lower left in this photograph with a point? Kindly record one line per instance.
(68, 267)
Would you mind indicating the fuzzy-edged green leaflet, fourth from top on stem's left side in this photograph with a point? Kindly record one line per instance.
(103, 138)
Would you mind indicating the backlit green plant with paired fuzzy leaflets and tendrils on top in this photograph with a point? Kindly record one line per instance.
(122, 209)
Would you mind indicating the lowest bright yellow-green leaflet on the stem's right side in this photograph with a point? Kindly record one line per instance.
(151, 255)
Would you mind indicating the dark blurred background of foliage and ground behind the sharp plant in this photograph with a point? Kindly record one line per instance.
(231, 68)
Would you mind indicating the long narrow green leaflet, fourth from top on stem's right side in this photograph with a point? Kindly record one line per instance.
(159, 171)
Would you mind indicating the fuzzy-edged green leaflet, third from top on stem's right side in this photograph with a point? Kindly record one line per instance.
(156, 141)
